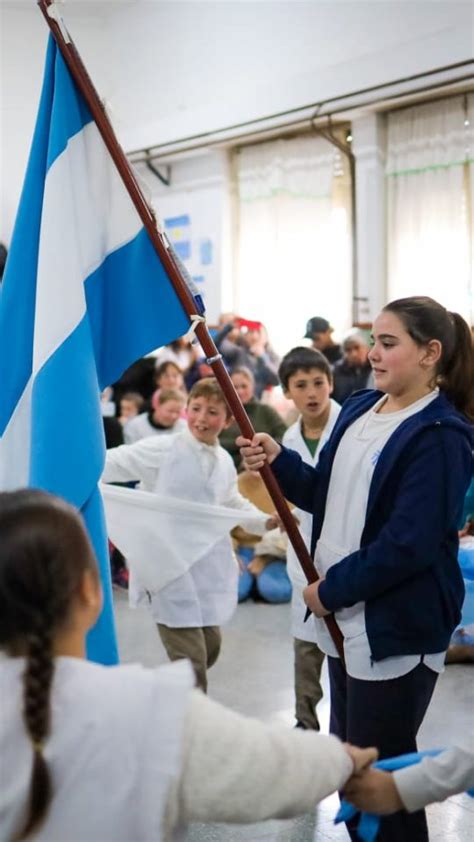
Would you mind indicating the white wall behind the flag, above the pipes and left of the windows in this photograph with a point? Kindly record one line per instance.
(171, 69)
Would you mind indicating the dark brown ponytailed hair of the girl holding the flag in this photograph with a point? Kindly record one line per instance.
(424, 319)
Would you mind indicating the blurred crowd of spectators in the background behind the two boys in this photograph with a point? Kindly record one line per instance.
(253, 364)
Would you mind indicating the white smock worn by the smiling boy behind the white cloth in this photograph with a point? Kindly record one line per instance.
(181, 467)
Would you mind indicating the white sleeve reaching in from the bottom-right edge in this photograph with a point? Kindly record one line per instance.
(436, 778)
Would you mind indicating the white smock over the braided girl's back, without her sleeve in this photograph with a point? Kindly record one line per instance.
(114, 751)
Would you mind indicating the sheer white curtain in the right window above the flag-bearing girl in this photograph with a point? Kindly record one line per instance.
(430, 155)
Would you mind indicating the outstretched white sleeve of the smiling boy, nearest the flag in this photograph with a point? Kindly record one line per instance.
(138, 461)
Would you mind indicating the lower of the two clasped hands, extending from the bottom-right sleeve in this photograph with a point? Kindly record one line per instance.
(373, 791)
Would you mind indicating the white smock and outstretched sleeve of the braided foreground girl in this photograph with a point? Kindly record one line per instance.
(135, 756)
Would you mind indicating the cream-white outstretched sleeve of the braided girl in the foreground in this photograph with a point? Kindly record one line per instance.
(237, 769)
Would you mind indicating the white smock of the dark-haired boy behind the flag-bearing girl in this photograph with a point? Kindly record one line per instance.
(293, 439)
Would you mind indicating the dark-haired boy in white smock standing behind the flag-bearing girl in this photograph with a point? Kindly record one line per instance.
(306, 378)
